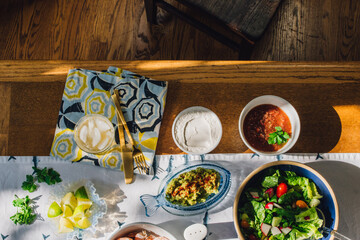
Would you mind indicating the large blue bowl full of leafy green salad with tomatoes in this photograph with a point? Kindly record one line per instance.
(285, 200)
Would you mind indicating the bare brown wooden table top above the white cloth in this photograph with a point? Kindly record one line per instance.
(326, 96)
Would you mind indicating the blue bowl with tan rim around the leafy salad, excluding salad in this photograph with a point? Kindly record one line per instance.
(328, 203)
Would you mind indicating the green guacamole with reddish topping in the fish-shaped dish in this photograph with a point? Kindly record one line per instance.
(193, 187)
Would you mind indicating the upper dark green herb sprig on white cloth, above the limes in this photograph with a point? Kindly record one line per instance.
(49, 176)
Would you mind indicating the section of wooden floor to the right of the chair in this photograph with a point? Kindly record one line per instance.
(312, 31)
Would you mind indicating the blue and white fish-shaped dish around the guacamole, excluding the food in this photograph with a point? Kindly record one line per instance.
(152, 203)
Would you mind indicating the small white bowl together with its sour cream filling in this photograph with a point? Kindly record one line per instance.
(197, 130)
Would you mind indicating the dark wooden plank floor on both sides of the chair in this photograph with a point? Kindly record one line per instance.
(117, 30)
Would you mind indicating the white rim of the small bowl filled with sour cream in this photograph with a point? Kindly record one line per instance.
(197, 109)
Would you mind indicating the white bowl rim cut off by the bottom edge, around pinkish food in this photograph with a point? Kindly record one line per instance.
(141, 225)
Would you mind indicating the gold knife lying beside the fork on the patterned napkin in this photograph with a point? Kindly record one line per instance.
(125, 152)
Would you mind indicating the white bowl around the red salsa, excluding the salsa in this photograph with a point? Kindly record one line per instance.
(286, 107)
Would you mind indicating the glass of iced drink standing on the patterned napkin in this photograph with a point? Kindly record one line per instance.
(94, 133)
